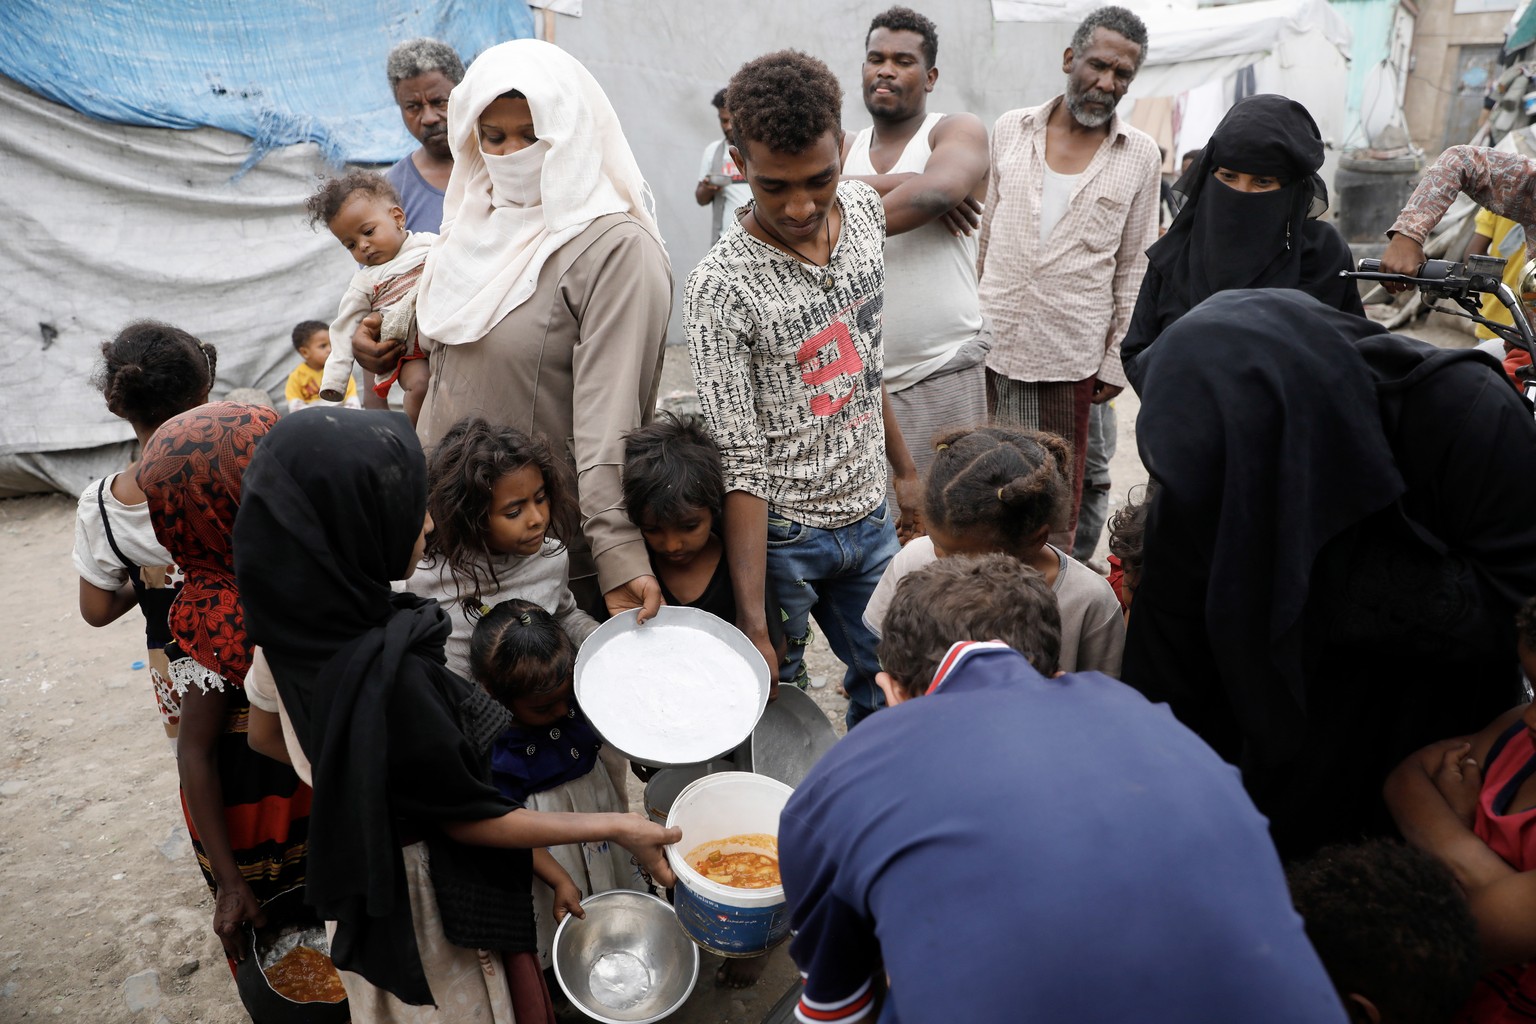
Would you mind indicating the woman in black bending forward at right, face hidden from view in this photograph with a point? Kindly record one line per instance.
(1343, 529)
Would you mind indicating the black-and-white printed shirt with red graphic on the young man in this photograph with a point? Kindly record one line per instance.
(789, 363)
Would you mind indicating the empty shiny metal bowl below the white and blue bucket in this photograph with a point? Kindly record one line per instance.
(627, 962)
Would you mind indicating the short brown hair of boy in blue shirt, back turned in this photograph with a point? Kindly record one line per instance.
(968, 598)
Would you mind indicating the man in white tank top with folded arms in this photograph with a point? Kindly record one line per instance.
(930, 171)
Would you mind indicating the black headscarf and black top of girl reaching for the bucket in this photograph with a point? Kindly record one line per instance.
(333, 507)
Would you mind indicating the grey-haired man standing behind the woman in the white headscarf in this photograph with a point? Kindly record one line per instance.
(422, 76)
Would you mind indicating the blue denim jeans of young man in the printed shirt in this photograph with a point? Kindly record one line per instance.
(832, 575)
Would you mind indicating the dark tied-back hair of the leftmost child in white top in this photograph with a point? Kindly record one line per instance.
(153, 371)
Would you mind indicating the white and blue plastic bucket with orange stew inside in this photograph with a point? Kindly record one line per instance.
(721, 919)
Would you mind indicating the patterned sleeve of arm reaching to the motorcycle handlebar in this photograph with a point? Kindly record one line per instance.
(1498, 182)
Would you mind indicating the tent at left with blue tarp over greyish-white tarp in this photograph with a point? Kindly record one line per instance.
(127, 199)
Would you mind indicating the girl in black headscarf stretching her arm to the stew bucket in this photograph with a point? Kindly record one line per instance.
(399, 745)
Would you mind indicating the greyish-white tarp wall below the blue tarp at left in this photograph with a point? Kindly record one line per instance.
(116, 223)
